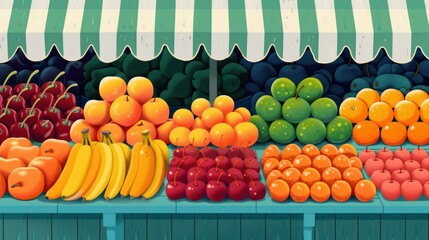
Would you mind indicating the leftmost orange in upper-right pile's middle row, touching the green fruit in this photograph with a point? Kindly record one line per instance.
(354, 110)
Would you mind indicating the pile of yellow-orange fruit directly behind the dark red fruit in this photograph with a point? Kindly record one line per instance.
(219, 125)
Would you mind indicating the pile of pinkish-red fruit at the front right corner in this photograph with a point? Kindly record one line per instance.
(398, 173)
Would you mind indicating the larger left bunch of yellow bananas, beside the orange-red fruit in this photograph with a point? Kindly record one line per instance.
(91, 168)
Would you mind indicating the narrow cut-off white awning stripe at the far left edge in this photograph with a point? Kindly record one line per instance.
(5, 13)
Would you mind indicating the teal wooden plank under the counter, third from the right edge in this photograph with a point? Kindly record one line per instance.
(369, 226)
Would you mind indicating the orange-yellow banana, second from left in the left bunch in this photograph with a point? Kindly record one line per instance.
(91, 175)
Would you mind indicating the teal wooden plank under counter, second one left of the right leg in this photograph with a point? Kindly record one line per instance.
(277, 226)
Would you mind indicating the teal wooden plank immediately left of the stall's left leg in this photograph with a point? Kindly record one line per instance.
(86, 223)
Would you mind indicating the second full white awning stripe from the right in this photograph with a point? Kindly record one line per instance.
(364, 31)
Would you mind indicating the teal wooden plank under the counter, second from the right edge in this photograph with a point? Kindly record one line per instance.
(392, 227)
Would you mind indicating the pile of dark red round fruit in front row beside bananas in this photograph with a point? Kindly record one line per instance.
(232, 172)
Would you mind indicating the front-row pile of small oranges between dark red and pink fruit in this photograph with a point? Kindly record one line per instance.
(319, 174)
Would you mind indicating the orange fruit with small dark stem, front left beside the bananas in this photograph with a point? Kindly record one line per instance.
(26, 183)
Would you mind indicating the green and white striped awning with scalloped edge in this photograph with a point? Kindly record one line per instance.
(146, 26)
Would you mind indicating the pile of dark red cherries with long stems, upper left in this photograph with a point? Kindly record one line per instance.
(37, 112)
